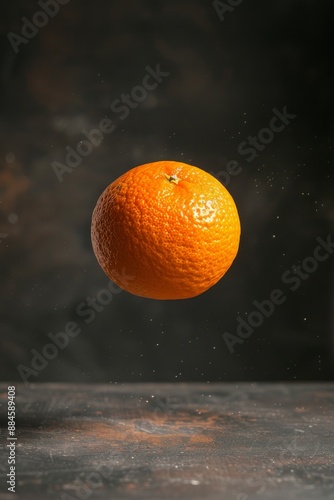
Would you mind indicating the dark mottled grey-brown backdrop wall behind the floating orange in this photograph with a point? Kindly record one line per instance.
(225, 79)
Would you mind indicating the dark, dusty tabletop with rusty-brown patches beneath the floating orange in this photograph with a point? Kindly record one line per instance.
(175, 441)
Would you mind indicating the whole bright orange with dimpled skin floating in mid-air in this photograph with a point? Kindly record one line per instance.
(165, 230)
